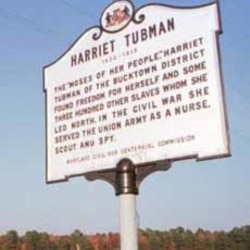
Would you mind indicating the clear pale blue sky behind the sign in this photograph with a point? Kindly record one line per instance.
(212, 195)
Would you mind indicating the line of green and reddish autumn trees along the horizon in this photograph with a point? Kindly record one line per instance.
(174, 239)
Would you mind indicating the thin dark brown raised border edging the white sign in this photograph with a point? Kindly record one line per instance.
(138, 20)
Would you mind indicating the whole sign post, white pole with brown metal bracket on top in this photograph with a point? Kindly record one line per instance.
(126, 179)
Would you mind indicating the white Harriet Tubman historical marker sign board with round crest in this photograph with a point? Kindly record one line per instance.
(145, 85)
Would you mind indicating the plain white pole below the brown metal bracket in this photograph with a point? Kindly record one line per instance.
(128, 222)
